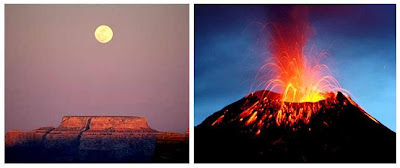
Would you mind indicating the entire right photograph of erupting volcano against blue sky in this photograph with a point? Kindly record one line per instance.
(295, 84)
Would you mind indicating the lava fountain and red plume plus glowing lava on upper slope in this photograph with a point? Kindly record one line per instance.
(298, 74)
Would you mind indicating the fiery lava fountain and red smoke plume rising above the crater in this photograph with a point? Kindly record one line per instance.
(298, 74)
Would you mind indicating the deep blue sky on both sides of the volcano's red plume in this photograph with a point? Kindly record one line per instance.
(360, 38)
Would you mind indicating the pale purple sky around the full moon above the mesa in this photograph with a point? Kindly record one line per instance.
(55, 67)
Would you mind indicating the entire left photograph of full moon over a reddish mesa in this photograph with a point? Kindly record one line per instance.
(97, 83)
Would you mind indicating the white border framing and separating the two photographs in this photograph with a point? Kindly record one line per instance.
(191, 79)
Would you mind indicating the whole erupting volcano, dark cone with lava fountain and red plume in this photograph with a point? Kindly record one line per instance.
(313, 119)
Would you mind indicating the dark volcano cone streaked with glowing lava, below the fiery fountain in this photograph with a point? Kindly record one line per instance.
(253, 130)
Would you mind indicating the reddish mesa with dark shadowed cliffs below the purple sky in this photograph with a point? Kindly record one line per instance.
(97, 139)
